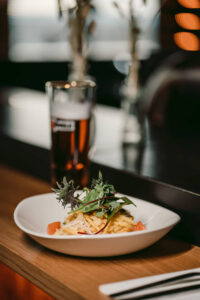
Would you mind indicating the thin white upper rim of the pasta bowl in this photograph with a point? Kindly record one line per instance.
(87, 236)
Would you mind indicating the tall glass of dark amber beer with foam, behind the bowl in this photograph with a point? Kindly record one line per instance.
(71, 105)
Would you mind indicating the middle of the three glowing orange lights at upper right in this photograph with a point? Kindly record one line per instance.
(188, 21)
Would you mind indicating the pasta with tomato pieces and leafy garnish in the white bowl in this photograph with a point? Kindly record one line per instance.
(94, 210)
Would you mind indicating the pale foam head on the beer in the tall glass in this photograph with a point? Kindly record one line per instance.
(70, 111)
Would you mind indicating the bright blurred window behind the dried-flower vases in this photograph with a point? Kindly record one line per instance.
(37, 34)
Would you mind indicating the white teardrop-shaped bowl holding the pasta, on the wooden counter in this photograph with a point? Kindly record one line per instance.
(33, 214)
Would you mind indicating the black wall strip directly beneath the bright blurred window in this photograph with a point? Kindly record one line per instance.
(34, 75)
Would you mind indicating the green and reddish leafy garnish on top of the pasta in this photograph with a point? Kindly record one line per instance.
(100, 197)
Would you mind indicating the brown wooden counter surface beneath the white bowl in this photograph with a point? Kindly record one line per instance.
(67, 277)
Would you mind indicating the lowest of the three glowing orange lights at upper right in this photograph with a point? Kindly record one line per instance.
(187, 41)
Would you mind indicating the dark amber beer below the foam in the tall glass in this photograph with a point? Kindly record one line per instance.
(70, 147)
